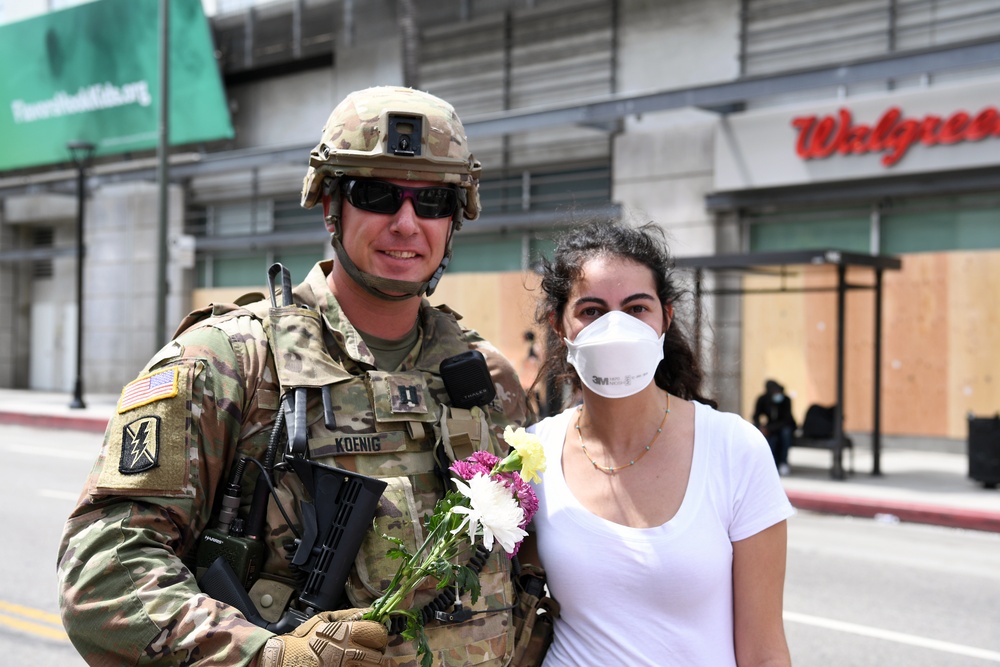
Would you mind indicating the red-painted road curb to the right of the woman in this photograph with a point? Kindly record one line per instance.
(954, 517)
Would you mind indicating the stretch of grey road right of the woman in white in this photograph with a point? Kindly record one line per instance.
(862, 593)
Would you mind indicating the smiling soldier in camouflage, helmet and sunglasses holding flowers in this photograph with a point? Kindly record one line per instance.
(352, 363)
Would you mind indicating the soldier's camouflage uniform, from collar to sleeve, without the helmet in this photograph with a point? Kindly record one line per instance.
(128, 592)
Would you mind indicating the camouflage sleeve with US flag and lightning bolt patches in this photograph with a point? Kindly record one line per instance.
(126, 595)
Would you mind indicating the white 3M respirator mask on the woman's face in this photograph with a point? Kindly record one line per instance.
(616, 355)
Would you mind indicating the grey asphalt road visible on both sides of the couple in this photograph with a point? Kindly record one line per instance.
(858, 592)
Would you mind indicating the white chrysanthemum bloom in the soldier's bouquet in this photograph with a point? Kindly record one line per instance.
(494, 509)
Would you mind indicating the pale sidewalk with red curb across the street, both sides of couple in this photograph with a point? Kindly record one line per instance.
(916, 486)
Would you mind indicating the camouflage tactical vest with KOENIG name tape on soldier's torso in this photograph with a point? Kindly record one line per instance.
(385, 425)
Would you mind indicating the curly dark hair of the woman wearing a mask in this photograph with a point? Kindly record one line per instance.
(680, 371)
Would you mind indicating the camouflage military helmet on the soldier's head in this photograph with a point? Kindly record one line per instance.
(394, 133)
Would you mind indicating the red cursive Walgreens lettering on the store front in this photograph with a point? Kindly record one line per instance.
(892, 135)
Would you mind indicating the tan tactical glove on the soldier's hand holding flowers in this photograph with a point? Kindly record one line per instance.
(328, 639)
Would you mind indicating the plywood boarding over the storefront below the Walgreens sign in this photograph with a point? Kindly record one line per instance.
(940, 350)
